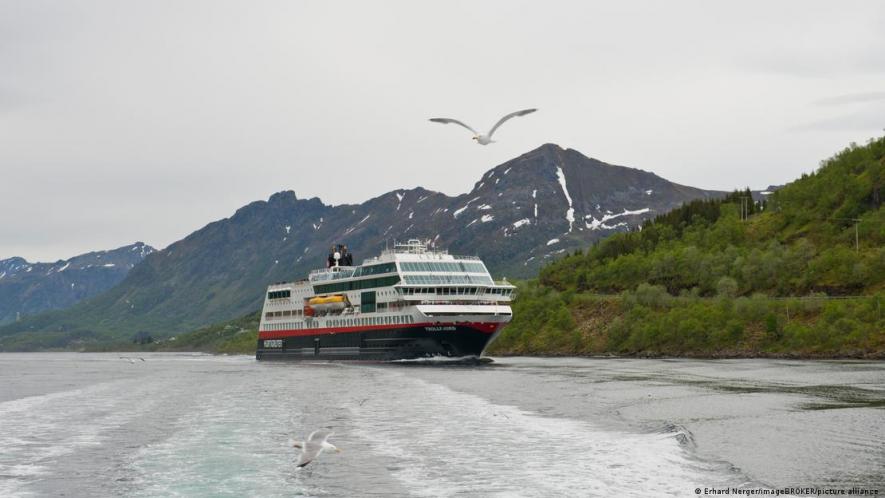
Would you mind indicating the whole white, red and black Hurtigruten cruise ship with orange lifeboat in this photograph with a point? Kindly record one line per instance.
(410, 302)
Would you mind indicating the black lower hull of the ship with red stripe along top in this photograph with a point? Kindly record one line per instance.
(390, 343)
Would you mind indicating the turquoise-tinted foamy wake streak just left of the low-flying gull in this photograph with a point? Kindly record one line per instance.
(234, 446)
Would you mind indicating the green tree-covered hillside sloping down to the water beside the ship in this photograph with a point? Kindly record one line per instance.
(789, 277)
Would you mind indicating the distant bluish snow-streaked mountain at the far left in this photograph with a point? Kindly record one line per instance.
(29, 288)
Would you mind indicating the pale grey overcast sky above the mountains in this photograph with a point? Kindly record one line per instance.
(124, 121)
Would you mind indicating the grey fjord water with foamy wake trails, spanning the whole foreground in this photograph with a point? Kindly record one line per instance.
(195, 425)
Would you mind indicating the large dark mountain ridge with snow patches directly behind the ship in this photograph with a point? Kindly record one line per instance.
(517, 216)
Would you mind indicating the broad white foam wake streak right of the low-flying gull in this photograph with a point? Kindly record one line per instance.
(440, 442)
